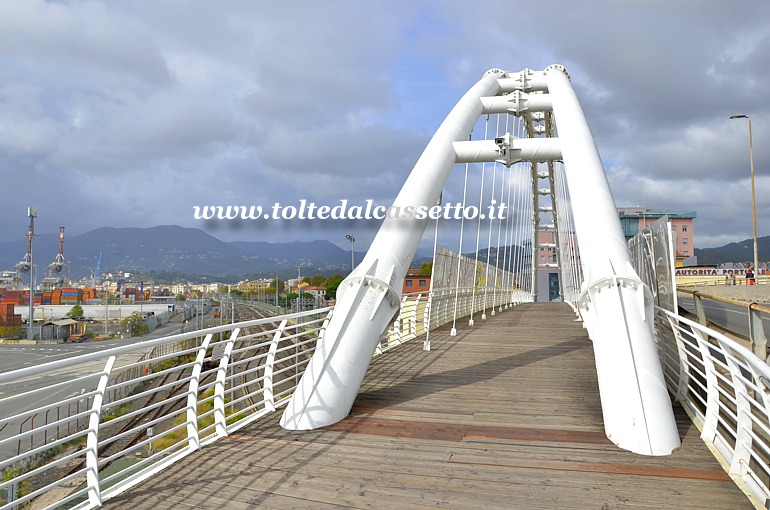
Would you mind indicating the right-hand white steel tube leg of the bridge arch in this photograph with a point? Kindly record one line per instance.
(615, 305)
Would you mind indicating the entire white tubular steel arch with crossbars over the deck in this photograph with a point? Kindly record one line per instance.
(614, 303)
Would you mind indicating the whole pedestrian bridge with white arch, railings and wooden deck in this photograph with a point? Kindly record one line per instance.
(548, 365)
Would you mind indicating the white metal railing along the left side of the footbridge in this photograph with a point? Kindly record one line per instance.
(138, 408)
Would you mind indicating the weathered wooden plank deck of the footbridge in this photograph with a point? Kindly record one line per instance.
(503, 415)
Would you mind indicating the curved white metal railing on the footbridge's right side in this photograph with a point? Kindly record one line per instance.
(725, 389)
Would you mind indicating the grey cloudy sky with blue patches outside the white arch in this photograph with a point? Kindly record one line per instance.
(131, 113)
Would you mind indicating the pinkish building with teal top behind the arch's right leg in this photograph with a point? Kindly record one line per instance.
(634, 219)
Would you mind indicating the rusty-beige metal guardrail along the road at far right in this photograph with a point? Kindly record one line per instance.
(756, 338)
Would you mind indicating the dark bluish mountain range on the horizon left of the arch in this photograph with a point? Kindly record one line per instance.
(175, 249)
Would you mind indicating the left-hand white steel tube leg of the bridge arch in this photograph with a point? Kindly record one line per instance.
(369, 297)
